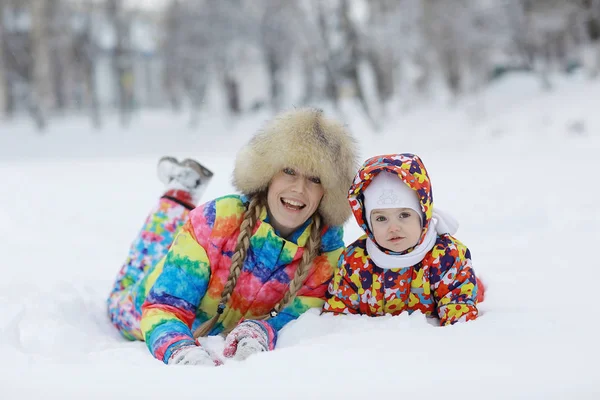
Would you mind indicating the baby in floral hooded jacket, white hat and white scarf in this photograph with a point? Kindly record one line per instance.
(407, 260)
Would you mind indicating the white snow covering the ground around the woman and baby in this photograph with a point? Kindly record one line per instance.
(513, 164)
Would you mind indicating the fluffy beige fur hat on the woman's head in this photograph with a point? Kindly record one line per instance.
(304, 139)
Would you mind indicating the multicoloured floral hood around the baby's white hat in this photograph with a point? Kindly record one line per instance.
(410, 170)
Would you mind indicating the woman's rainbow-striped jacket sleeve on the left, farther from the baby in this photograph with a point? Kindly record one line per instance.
(170, 307)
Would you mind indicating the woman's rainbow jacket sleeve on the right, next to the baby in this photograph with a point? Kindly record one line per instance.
(313, 292)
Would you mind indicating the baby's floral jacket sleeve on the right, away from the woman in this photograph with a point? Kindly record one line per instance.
(454, 283)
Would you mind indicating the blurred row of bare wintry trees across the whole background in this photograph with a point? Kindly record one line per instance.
(390, 52)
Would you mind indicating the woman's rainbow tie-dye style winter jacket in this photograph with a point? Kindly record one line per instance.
(185, 286)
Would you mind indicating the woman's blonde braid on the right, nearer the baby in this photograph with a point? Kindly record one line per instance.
(311, 251)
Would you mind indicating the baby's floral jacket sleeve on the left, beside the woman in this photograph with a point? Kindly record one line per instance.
(342, 294)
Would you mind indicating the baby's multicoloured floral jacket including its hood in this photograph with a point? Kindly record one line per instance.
(443, 284)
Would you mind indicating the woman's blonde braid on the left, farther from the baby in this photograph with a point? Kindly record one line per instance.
(251, 216)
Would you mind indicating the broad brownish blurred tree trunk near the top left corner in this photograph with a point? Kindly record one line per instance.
(42, 101)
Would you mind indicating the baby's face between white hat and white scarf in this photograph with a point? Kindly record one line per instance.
(396, 229)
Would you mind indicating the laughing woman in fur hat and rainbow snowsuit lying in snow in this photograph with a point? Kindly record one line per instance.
(241, 265)
